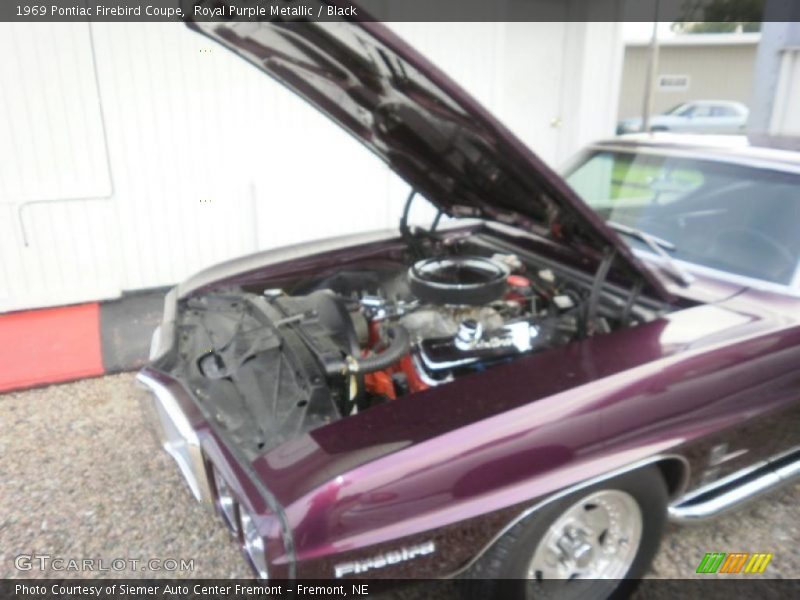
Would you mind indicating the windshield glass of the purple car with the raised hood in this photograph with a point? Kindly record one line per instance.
(729, 217)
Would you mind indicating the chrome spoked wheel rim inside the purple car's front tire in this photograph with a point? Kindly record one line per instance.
(598, 537)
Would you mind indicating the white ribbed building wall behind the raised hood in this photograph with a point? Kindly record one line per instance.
(132, 155)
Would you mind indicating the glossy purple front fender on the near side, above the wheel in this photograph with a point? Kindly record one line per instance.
(597, 406)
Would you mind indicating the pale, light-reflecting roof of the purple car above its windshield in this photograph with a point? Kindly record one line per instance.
(777, 151)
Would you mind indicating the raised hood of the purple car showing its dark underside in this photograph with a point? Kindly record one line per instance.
(426, 128)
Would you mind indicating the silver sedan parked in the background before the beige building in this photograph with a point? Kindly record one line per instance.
(698, 116)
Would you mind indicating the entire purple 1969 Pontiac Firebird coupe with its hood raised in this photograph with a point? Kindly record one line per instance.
(528, 393)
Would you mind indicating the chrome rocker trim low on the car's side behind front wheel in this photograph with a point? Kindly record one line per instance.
(733, 491)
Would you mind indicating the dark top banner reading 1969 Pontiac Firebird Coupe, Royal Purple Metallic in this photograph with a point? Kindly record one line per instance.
(399, 10)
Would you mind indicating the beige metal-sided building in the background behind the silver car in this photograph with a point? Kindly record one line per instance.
(690, 67)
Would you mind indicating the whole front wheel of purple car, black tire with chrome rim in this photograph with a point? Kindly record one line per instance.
(509, 568)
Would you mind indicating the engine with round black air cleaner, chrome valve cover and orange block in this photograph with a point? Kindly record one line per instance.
(463, 314)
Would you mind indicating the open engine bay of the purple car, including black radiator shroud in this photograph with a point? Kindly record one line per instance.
(273, 364)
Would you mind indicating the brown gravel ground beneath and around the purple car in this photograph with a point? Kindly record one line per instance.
(80, 477)
